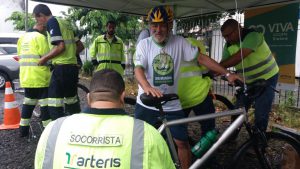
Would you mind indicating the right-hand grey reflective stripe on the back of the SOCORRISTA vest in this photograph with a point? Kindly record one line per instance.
(137, 146)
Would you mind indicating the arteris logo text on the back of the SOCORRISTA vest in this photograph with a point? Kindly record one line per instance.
(75, 162)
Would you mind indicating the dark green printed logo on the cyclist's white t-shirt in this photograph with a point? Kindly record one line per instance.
(163, 70)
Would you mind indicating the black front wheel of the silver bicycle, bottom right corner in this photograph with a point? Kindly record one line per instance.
(282, 151)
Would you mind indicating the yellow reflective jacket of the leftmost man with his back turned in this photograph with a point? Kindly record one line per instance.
(31, 47)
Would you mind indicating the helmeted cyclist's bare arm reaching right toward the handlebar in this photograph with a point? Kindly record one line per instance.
(214, 66)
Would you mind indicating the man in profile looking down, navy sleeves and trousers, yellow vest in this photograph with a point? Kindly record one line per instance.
(63, 84)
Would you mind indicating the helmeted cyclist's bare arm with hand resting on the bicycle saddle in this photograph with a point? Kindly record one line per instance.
(141, 78)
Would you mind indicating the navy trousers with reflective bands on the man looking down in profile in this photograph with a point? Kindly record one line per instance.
(63, 85)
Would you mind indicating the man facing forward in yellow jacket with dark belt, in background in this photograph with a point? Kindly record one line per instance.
(107, 51)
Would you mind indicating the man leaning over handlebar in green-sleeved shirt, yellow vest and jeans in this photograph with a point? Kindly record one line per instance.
(248, 52)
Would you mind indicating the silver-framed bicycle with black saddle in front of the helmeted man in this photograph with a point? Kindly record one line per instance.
(257, 139)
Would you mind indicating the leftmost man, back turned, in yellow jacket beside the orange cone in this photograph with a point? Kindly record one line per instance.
(33, 78)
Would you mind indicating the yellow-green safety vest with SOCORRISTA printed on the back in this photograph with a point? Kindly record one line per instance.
(101, 141)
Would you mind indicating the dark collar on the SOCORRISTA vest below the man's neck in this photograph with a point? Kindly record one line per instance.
(108, 111)
